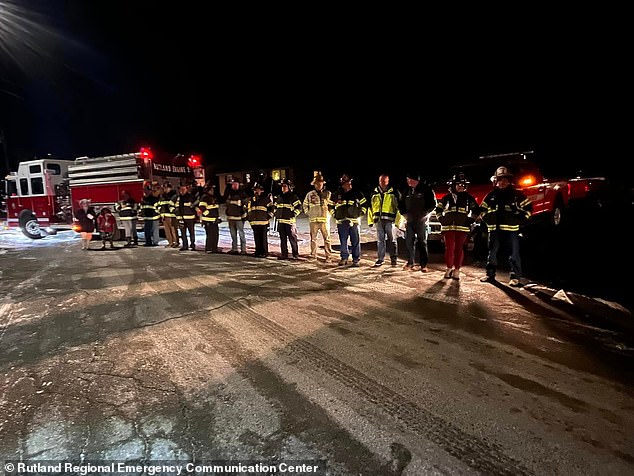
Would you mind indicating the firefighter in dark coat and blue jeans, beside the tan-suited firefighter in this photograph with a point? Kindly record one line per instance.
(349, 205)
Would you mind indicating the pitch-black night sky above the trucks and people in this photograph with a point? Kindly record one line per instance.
(329, 88)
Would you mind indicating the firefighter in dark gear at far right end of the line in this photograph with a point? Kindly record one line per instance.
(504, 209)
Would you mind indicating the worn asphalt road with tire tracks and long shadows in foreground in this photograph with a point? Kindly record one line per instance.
(149, 354)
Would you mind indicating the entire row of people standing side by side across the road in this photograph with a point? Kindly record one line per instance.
(504, 209)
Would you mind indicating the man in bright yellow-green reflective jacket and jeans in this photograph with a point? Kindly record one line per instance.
(382, 212)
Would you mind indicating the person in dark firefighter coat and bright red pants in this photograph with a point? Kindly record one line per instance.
(453, 212)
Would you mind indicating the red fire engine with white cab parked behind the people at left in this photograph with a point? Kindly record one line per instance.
(43, 194)
